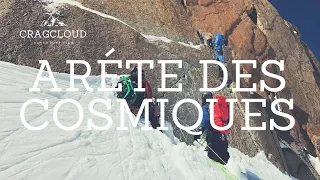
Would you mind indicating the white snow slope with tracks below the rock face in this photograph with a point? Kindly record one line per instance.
(90, 154)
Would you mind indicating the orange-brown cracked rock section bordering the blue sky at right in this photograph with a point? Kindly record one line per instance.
(255, 30)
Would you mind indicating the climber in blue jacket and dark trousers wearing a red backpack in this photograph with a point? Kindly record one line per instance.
(217, 144)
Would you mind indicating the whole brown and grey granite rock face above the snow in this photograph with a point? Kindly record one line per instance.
(162, 29)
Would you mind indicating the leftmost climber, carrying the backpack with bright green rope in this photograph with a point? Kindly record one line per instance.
(135, 99)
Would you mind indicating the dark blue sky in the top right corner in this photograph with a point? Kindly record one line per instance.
(306, 16)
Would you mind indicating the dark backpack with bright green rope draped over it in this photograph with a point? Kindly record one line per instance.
(127, 92)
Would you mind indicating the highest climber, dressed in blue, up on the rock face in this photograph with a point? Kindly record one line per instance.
(216, 44)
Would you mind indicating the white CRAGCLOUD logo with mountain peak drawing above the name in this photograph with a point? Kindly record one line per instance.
(53, 30)
